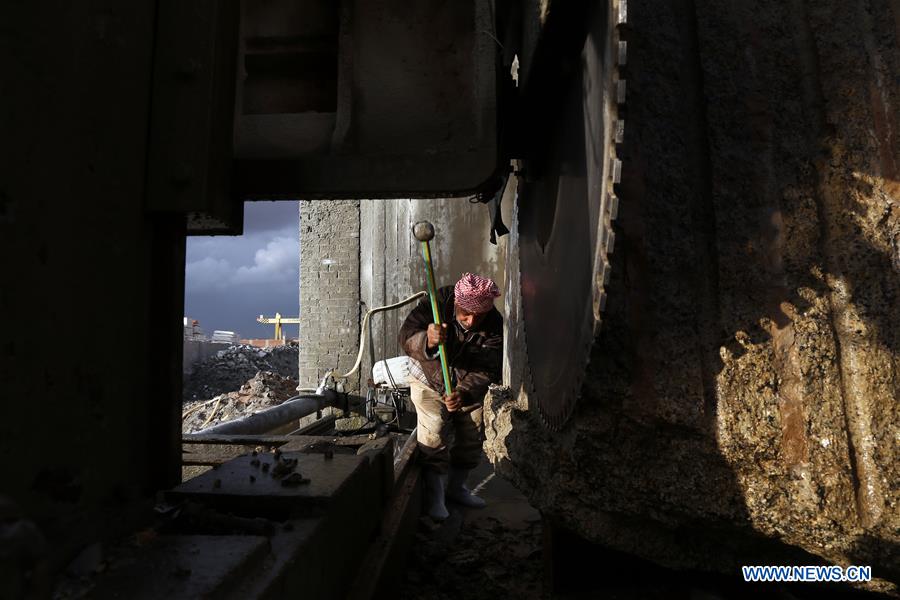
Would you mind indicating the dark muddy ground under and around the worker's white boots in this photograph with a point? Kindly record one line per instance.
(501, 551)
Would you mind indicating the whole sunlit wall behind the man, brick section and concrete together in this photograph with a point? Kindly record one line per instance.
(358, 255)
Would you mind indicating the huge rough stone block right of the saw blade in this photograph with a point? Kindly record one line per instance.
(742, 401)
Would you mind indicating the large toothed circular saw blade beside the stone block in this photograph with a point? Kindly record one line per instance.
(565, 212)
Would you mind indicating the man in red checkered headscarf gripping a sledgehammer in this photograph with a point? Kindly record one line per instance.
(450, 427)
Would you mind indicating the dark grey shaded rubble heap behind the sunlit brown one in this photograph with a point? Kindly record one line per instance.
(230, 368)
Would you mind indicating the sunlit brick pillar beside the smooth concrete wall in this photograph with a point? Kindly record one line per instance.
(329, 289)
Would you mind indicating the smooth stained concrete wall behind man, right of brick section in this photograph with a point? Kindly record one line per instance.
(391, 265)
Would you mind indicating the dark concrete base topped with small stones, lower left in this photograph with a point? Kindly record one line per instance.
(306, 540)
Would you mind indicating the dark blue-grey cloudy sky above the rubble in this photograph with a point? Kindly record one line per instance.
(230, 280)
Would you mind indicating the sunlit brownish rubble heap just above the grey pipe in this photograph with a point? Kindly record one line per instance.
(262, 391)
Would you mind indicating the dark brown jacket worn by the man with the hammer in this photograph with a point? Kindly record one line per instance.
(475, 357)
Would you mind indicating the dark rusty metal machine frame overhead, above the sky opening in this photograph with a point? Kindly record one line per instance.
(320, 99)
